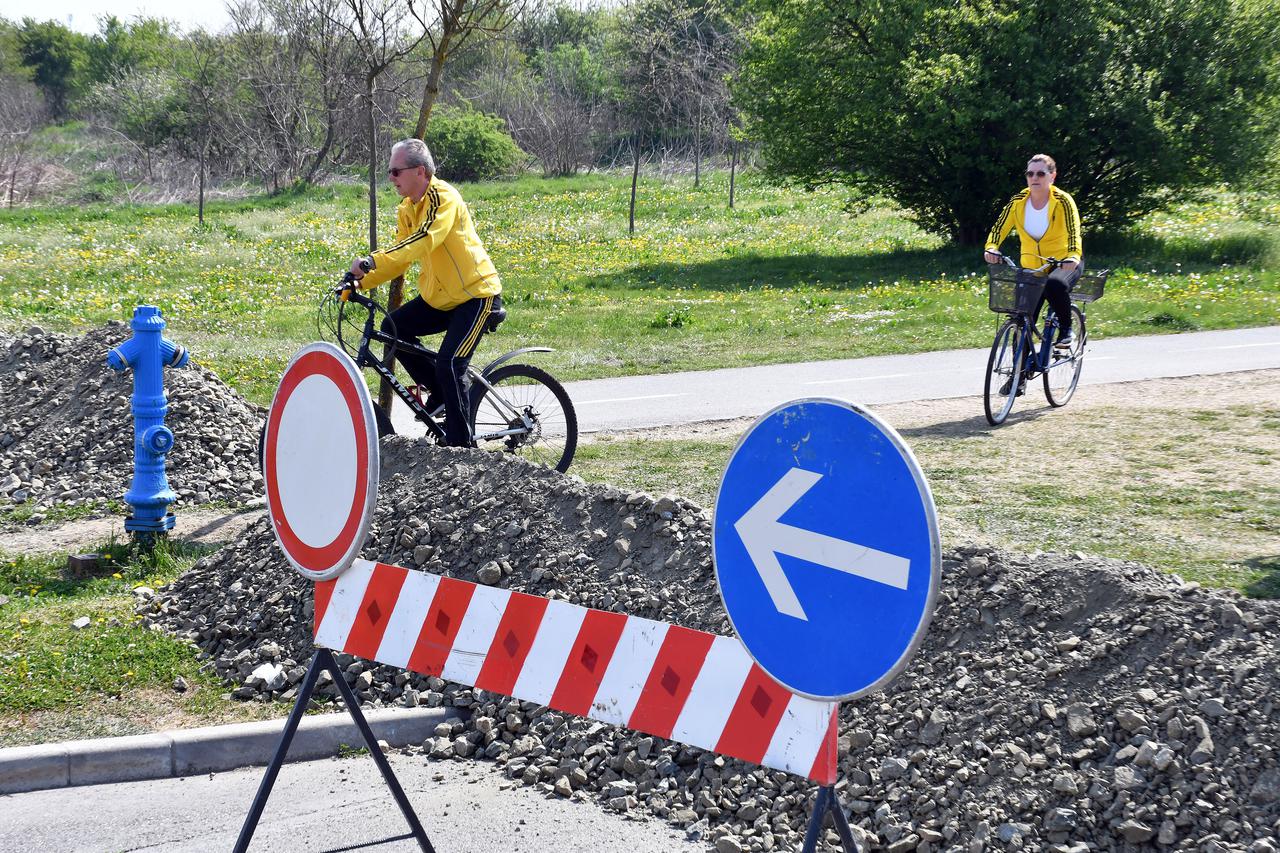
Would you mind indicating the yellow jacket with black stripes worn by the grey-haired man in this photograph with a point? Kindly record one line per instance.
(437, 232)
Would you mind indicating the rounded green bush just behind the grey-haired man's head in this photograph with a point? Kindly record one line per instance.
(470, 145)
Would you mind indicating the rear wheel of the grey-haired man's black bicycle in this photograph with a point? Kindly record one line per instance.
(528, 413)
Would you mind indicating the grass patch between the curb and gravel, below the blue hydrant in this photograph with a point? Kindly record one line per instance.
(113, 677)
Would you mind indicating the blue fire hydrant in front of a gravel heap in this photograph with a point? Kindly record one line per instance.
(149, 353)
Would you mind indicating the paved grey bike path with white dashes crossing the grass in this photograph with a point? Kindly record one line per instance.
(664, 400)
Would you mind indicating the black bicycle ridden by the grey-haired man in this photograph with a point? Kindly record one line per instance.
(515, 408)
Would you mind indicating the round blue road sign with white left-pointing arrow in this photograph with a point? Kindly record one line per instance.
(826, 548)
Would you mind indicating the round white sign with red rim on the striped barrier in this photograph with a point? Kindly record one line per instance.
(321, 462)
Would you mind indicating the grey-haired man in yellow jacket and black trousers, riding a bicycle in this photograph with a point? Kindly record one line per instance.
(459, 288)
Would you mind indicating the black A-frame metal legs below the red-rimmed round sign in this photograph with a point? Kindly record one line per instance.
(323, 660)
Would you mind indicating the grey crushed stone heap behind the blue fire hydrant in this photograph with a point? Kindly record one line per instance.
(67, 428)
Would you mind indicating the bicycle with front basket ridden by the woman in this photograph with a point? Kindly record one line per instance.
(1021, 352)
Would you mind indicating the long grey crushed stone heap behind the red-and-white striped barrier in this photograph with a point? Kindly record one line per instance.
(1059, 703)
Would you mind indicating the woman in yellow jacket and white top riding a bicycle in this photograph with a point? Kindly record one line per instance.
(1049, 226)
